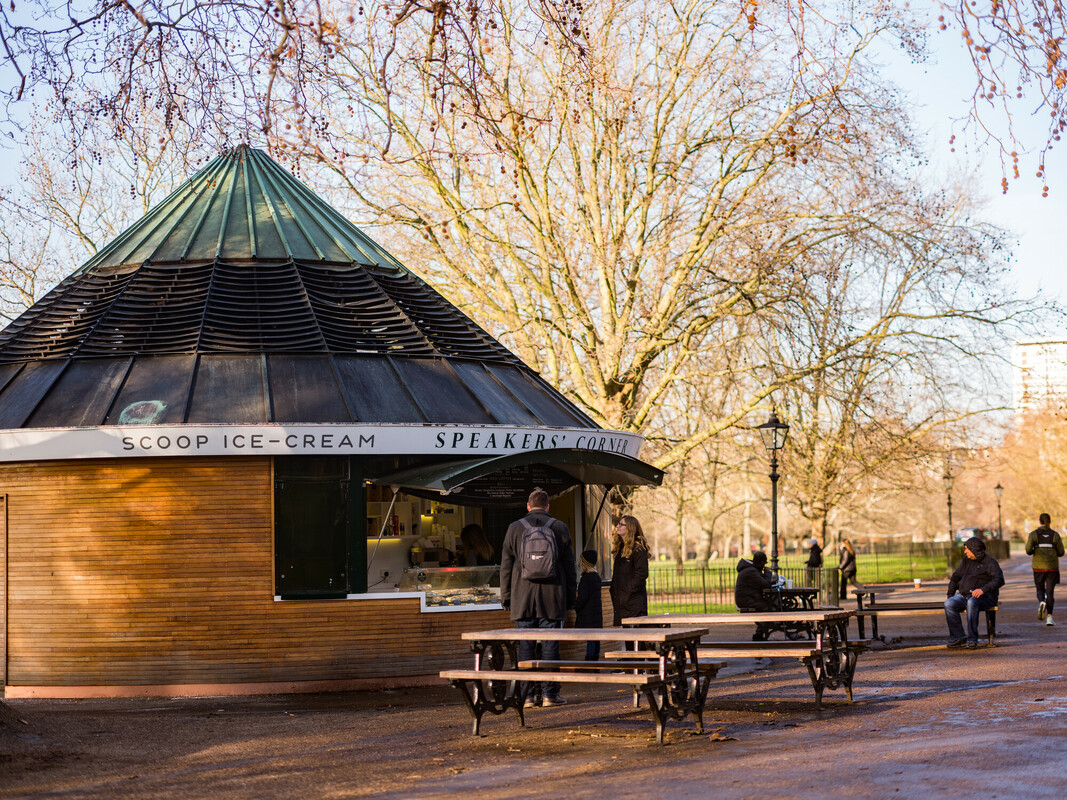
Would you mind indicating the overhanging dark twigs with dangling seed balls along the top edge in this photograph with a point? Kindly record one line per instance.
(230, 68)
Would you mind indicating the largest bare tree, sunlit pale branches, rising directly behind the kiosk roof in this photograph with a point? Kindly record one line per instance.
(665, 191)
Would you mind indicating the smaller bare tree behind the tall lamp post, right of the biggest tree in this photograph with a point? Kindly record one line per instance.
(904, 321)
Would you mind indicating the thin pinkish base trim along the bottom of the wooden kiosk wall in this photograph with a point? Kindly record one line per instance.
(198, 691)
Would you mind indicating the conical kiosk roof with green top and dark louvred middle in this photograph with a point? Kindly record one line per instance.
(244, 298)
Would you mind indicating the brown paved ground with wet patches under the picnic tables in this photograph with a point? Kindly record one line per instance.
(928, 723)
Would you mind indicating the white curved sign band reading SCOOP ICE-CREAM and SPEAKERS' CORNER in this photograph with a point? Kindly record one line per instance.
(134, 441)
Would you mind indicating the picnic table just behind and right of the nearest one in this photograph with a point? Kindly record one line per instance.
(830, 657)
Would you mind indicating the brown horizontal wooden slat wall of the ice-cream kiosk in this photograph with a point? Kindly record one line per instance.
(161, 571)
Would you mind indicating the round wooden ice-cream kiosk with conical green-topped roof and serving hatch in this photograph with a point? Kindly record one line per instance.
(238, 449)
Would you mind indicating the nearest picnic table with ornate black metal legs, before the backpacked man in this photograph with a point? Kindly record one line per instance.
(668, 673)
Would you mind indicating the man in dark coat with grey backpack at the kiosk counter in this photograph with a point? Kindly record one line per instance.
(538, 584)
